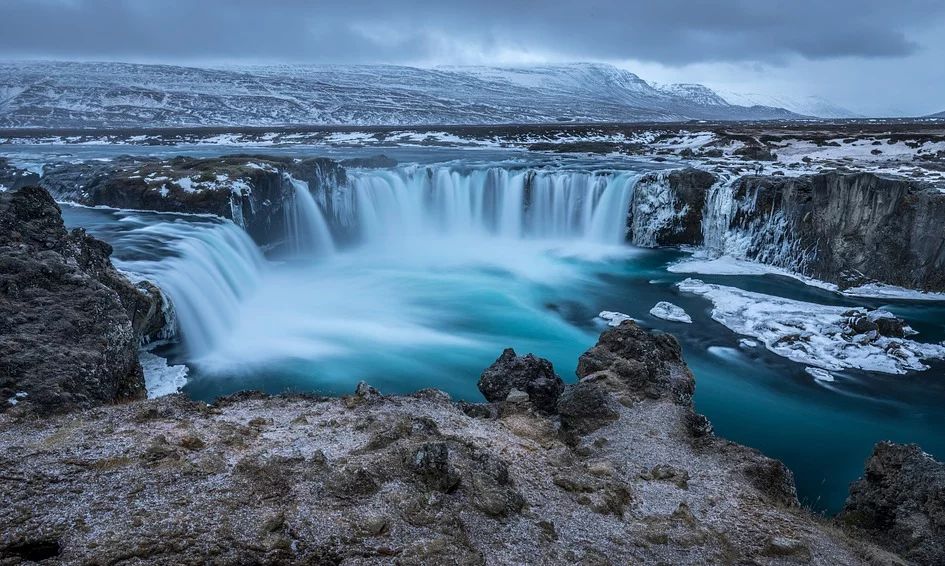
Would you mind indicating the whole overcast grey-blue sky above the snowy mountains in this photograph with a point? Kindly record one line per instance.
(876, 57)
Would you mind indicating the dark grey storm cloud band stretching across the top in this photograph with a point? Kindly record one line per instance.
(673, 32)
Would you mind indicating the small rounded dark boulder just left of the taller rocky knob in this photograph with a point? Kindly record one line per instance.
(529, 374)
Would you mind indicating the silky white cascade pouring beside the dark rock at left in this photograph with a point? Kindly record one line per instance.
(212, 268)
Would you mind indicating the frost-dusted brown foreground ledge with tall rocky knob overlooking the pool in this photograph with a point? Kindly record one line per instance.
(623, 471)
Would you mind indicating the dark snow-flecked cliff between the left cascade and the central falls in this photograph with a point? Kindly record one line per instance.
(252, 191)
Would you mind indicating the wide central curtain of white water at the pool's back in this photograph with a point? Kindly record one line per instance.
(413, 202)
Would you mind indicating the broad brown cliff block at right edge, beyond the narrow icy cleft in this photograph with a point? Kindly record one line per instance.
(846, 228)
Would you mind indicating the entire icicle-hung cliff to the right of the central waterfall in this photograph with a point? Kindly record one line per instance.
(844, 228)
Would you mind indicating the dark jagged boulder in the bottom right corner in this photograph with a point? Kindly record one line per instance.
(900, 502)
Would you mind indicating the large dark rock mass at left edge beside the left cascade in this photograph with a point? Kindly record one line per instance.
(70, 324)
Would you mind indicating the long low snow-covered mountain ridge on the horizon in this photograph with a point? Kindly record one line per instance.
(70, 94)
